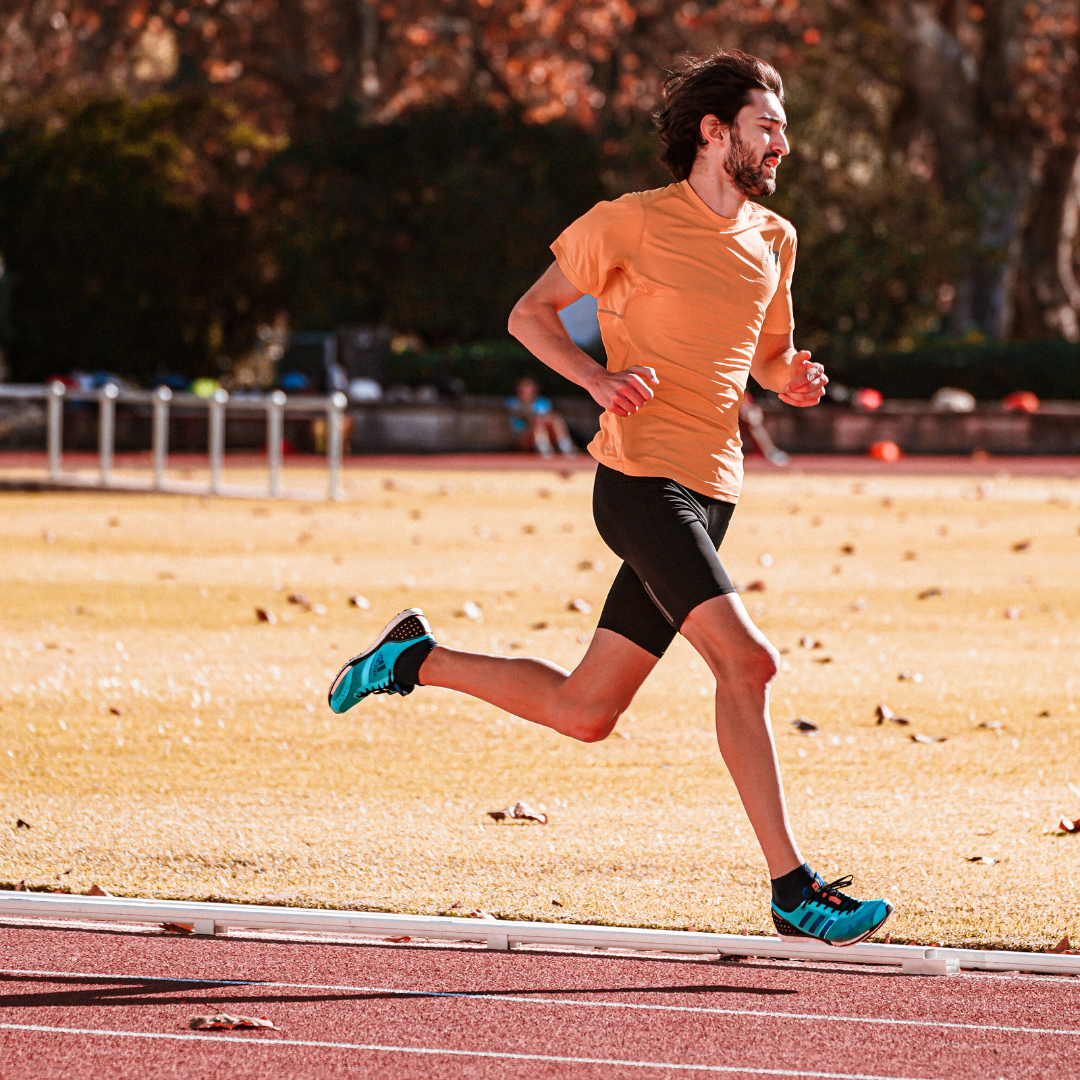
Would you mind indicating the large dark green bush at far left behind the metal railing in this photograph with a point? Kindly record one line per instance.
(119, 229)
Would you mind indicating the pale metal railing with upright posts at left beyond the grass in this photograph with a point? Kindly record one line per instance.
(275, 407)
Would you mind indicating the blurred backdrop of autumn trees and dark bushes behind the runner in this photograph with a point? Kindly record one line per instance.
(173, 174)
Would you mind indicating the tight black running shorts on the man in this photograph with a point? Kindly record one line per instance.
(667, 537)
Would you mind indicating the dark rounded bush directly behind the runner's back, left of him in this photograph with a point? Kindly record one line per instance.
(436, 223)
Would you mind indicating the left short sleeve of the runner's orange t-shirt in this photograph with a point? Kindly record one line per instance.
(600, 242)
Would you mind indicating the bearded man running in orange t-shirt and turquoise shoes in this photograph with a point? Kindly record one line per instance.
(694, 289)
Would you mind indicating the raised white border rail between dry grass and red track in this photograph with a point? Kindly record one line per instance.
(218, 919)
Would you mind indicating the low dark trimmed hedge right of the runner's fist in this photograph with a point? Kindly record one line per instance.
(990, 372)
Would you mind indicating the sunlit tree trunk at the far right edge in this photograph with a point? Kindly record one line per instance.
(1047, 294)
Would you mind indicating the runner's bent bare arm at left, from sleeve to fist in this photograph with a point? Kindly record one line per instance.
(535, 322)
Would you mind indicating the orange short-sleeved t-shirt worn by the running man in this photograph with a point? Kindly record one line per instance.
(686, 292)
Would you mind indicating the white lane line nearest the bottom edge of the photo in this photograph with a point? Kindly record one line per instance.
(455, 1054)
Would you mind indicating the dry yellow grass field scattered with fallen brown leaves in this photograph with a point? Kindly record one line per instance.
(159, 740)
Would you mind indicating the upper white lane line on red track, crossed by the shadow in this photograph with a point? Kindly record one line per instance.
(494, 997)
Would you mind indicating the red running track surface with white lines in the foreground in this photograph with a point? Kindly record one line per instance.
(116, 1005)
